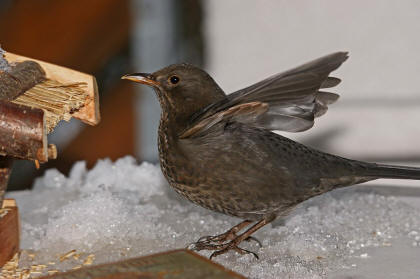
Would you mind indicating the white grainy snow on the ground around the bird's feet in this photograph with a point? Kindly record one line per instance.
(125, 209)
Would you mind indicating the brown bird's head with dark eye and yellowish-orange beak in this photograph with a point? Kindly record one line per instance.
(182, 89)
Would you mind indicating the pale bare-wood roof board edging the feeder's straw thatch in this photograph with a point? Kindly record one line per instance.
(90, 112)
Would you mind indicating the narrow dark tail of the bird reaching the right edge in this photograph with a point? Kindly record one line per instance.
(394, 172)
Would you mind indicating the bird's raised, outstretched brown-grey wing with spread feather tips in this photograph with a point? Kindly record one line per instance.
(291, 99)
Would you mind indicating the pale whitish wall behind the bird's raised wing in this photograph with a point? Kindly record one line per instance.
(378, 114)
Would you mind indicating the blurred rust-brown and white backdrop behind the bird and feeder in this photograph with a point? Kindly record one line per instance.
(238, 42)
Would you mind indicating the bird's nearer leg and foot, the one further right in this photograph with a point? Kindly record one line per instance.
(233, 244)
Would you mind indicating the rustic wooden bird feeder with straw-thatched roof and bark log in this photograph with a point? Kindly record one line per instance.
(34, 97)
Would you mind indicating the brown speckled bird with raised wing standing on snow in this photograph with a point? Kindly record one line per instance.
(219, 150)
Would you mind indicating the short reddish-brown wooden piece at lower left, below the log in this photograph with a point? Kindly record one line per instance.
(9, 231)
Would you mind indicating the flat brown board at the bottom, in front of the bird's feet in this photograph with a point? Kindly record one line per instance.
(177, 264)
